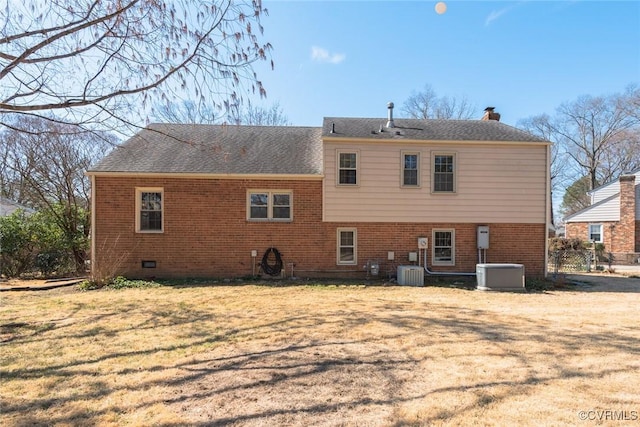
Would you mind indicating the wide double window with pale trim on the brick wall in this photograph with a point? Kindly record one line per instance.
(266, 205)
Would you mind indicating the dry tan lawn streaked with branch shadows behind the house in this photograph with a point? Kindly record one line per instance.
(319, 356)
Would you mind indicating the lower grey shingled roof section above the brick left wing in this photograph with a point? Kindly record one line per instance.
(218, 149)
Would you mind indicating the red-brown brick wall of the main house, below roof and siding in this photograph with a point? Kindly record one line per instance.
(206, 233)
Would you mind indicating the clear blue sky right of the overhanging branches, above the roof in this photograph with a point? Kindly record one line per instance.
(349, 58)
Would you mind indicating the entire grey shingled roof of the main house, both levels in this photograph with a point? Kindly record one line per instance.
(279, 150)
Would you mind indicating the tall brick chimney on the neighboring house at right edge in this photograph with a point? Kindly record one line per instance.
(625, 232)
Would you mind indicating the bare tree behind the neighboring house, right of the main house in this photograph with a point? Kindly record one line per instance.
(595, 140)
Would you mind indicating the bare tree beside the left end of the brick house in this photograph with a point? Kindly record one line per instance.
(44, 169)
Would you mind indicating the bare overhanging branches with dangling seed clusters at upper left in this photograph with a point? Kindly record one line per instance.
(99, 62)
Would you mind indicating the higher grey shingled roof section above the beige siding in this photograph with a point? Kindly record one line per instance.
(425, 130)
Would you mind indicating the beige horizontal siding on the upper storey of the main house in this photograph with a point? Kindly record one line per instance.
(494, 183)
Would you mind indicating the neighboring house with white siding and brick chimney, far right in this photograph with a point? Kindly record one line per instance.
(613, 218)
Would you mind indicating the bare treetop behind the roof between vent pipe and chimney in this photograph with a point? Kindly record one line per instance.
(427, 105)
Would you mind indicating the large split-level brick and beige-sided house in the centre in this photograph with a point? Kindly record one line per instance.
(209, 200)
